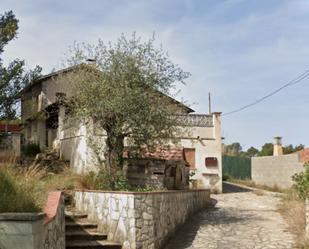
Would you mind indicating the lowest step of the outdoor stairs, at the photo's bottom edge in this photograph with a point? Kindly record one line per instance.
(104, 244)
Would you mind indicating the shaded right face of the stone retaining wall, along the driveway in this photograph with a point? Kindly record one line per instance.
(159, 215)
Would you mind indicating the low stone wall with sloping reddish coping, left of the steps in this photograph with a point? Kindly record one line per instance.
(54, 225)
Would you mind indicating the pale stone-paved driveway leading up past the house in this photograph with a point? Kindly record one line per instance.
(242, 219)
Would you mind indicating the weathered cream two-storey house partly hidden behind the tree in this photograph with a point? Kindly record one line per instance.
(46, 123)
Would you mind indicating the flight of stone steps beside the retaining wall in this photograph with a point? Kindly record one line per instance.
(83, 234)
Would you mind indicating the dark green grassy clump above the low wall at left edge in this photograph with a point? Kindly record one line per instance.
(16, 195)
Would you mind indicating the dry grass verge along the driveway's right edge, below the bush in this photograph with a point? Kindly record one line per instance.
(293, 210)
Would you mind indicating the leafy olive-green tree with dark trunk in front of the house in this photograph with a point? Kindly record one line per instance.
(122, 92)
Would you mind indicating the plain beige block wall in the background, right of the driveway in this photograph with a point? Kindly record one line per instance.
(276, 170)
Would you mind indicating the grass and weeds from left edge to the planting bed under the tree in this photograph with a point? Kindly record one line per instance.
(25, 188)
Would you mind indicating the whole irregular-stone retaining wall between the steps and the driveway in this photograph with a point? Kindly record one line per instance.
(141, 220)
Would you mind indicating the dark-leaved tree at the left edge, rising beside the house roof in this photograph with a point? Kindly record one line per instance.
(13, 77)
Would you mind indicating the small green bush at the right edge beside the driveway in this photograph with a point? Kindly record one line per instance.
(301, 183)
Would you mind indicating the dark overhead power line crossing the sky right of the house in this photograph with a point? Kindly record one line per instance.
(290, 83)
